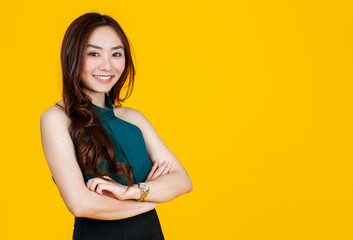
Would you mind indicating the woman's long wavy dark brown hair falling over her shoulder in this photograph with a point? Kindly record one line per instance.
(85, 118)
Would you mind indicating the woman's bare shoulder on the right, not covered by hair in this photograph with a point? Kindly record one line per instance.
(131, 115)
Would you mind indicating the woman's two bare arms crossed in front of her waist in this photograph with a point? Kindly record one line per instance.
(102, 199)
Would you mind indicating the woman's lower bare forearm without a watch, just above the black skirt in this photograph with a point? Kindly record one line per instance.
(102, 207)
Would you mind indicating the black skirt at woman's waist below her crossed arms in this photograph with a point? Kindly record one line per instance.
(140, 227)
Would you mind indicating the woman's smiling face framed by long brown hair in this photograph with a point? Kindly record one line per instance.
(103, 61)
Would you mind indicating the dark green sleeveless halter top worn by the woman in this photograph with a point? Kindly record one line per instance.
(128, 142)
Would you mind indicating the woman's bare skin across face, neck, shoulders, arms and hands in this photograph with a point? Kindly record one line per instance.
(99, 198)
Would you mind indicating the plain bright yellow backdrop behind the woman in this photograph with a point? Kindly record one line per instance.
(254, 98)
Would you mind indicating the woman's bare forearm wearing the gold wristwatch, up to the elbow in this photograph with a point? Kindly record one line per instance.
(167, 187)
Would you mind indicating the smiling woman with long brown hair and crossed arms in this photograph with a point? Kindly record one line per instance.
(108, 162)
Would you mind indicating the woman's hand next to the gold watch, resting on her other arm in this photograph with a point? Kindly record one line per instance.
(99, 185)
